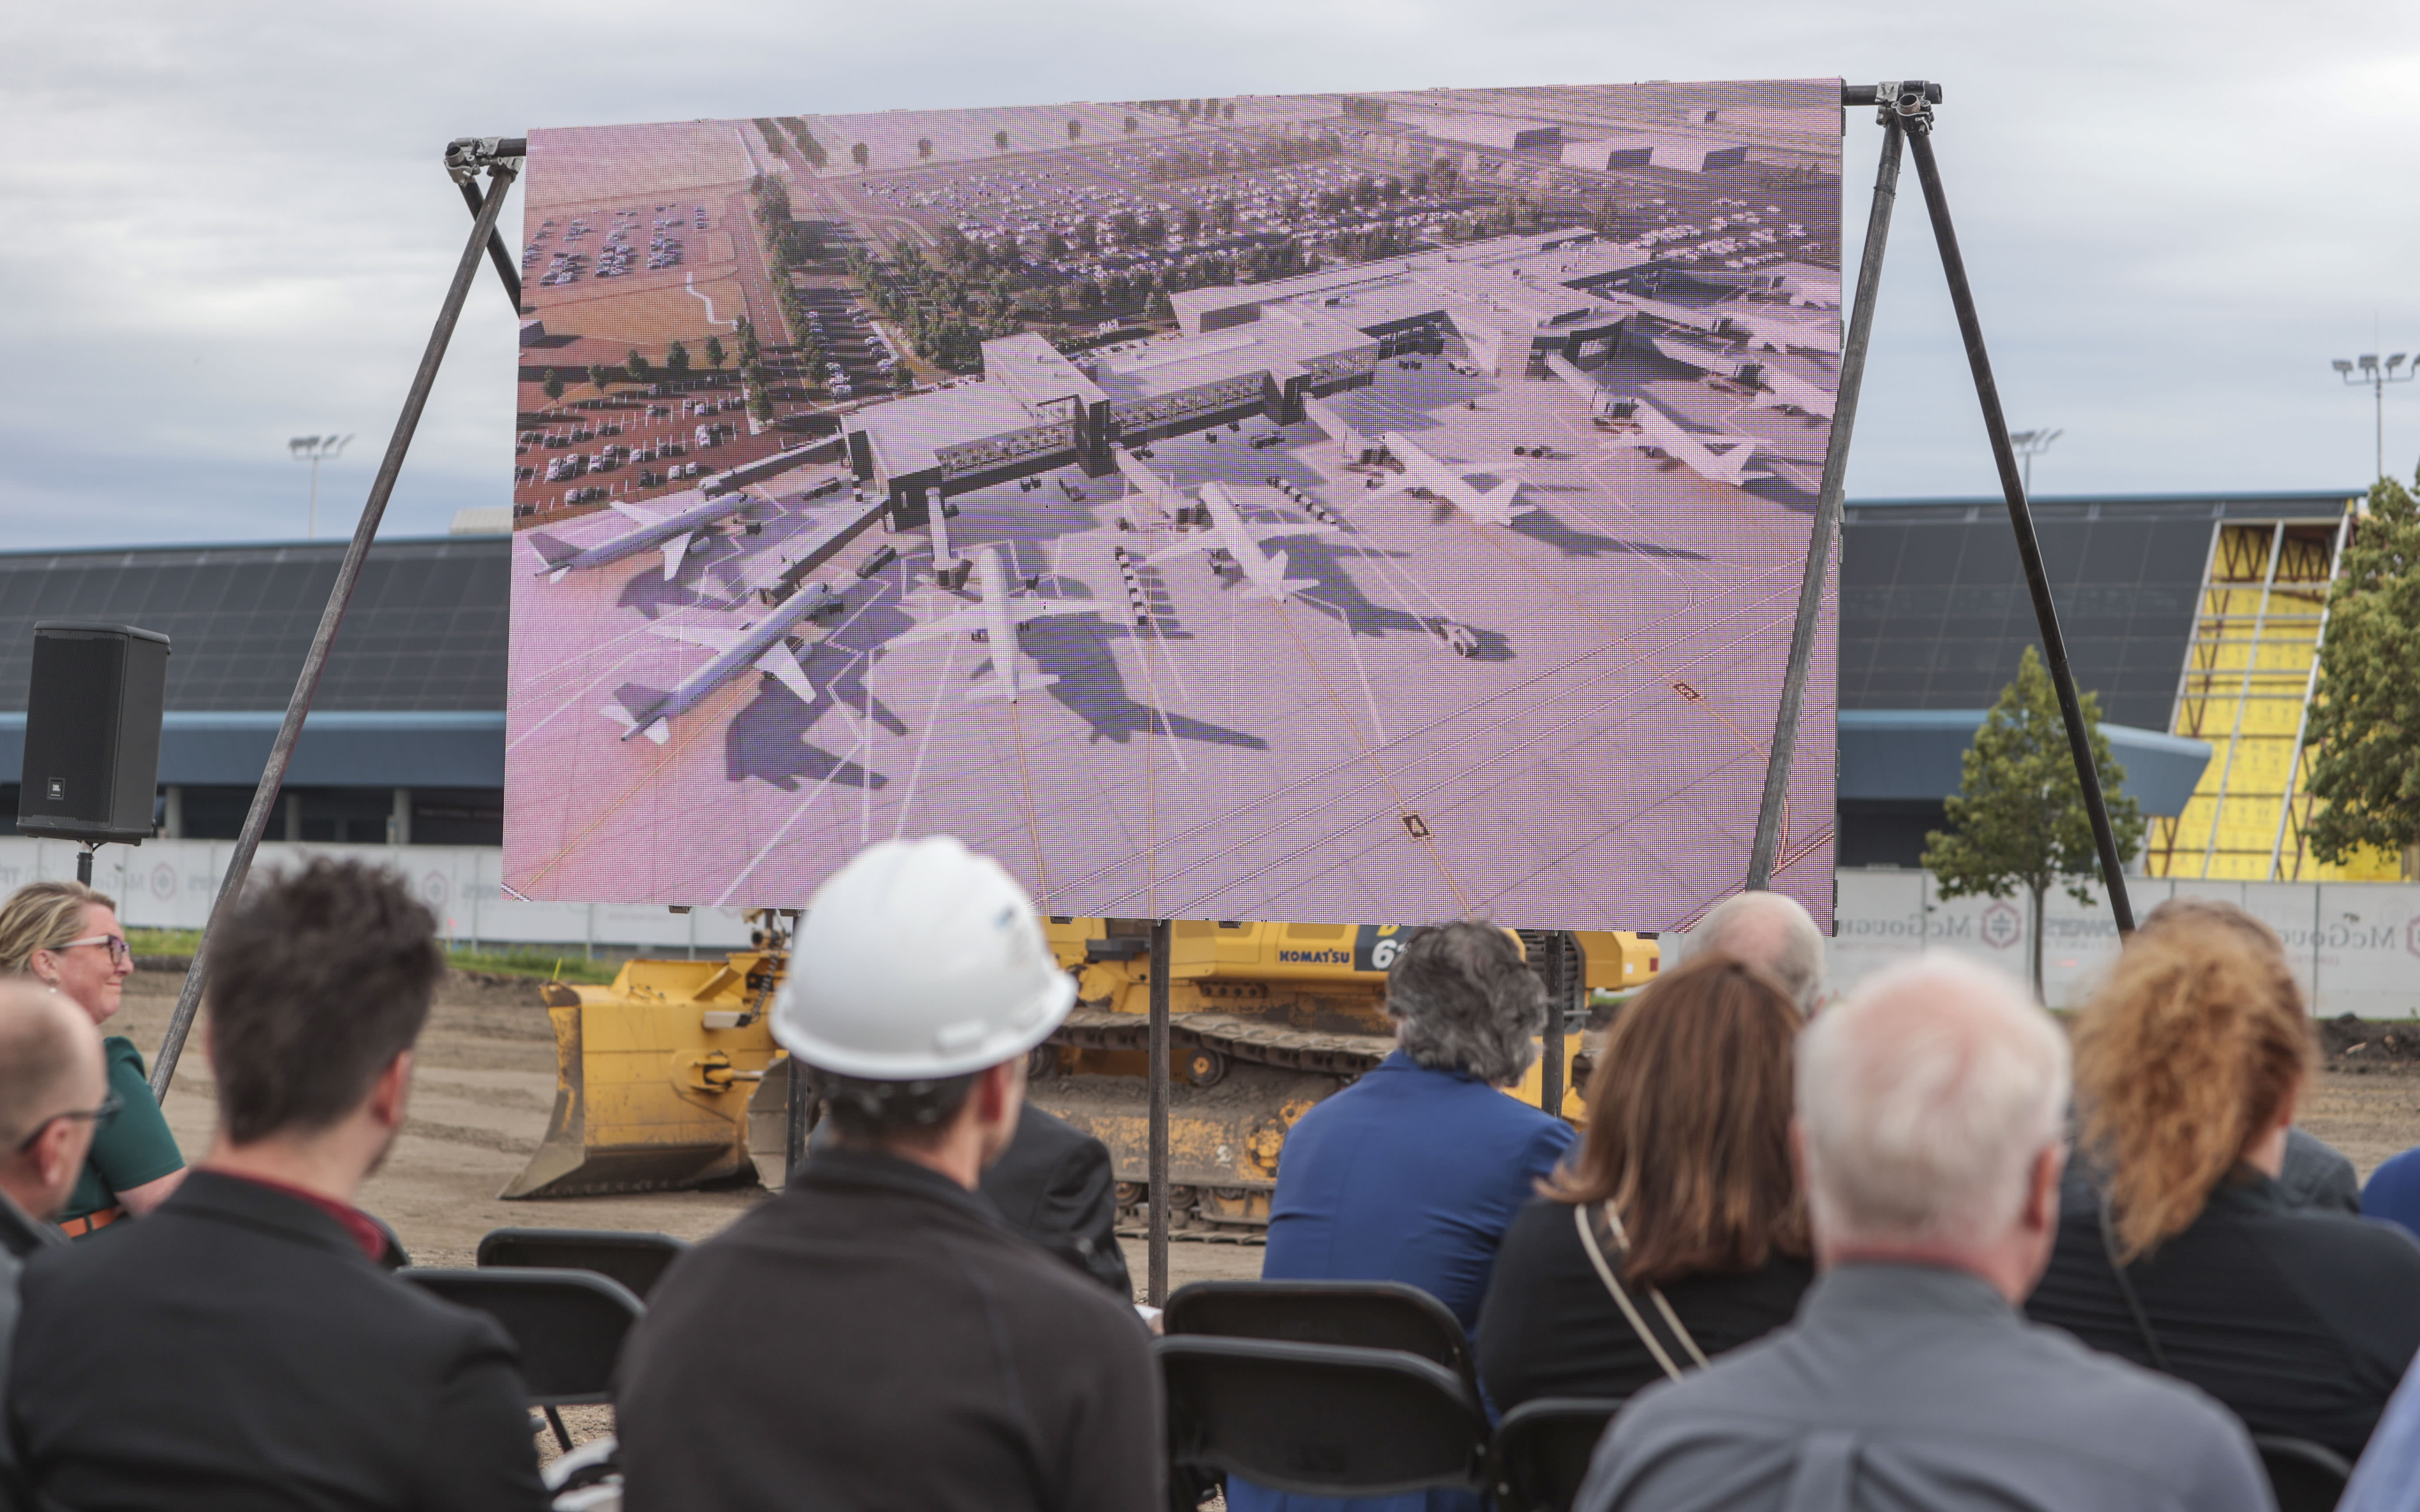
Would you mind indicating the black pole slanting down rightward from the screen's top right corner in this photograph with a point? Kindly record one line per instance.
(1918, 122)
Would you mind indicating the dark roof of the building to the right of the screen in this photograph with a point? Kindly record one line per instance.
(1935, 608)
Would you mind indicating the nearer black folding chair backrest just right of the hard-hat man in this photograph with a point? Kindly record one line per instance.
(1320, 1419)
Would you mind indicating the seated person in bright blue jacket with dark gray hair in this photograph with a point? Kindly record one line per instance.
(1414, 1172)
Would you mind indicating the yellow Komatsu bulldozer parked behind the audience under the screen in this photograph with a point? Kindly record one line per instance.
(669, 1078)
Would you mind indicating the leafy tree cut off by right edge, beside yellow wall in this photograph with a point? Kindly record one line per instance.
(2366, 720)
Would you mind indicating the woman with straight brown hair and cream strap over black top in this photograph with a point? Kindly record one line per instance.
(1695, 1237)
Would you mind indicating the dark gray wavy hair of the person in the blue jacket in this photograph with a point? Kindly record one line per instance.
(1468, 1003)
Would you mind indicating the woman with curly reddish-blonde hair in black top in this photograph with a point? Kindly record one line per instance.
(2179, 1252)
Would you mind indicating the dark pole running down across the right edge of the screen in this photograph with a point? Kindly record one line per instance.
(1826, 531)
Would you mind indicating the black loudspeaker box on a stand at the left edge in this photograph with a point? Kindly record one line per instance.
(93, 732)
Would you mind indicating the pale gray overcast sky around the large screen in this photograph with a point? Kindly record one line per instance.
(226, 224)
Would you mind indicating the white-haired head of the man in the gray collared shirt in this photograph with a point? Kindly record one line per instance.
(1925, 1097)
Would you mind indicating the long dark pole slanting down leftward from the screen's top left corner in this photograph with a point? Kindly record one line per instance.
(500, 178)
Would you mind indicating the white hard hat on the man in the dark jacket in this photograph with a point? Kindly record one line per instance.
(918, 962)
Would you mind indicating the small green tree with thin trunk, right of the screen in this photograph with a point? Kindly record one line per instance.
(2019, 814)
